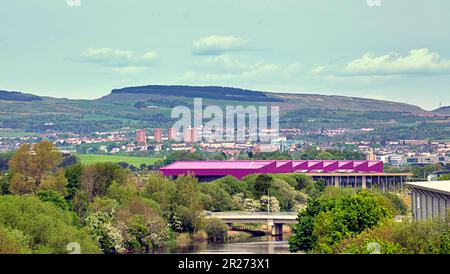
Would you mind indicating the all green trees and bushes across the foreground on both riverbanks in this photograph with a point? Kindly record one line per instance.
(106, 208)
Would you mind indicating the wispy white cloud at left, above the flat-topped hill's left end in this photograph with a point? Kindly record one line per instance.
(121, 61)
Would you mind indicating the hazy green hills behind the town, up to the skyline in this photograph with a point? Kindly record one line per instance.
(150, 107)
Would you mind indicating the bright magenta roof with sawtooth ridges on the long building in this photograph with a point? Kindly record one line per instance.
(241, 169)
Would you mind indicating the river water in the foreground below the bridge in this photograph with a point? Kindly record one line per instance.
(252, 245)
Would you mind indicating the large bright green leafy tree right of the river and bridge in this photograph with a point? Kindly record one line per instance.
(338, 214)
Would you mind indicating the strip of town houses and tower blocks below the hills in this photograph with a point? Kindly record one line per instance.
(395, 153)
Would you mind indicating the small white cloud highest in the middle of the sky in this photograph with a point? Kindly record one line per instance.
(217, 45)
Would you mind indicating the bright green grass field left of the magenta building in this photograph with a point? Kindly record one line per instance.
(88, 159)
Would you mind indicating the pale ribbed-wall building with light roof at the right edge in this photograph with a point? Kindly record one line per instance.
(429, 199)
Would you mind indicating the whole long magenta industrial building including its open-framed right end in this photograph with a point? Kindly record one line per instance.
(363, 174)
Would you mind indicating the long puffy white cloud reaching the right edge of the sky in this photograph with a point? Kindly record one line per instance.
(416, 62)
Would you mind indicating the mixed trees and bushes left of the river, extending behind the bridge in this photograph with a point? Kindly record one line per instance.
(49, 200)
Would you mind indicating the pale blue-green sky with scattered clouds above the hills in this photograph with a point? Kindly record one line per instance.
(396, 50)
